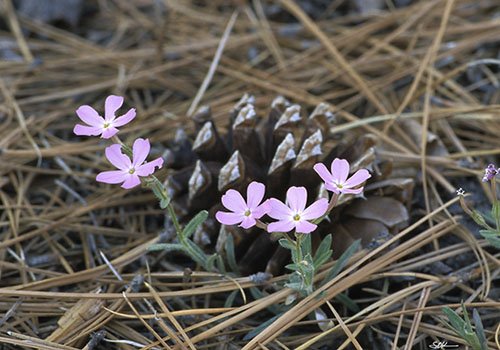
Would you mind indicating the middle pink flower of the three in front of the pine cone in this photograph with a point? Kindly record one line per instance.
(294, 214)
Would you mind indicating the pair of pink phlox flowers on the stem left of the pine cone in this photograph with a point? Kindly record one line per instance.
(129, 171)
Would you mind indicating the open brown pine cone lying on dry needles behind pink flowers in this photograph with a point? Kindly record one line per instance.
(280, 150)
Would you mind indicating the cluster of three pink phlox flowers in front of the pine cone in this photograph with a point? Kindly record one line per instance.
(293, 214)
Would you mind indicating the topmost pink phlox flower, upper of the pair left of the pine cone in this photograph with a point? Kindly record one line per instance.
(97, 125)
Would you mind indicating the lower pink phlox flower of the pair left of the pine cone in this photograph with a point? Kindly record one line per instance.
(129, 171)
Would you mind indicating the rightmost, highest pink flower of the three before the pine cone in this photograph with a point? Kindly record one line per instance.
(337, 181)
